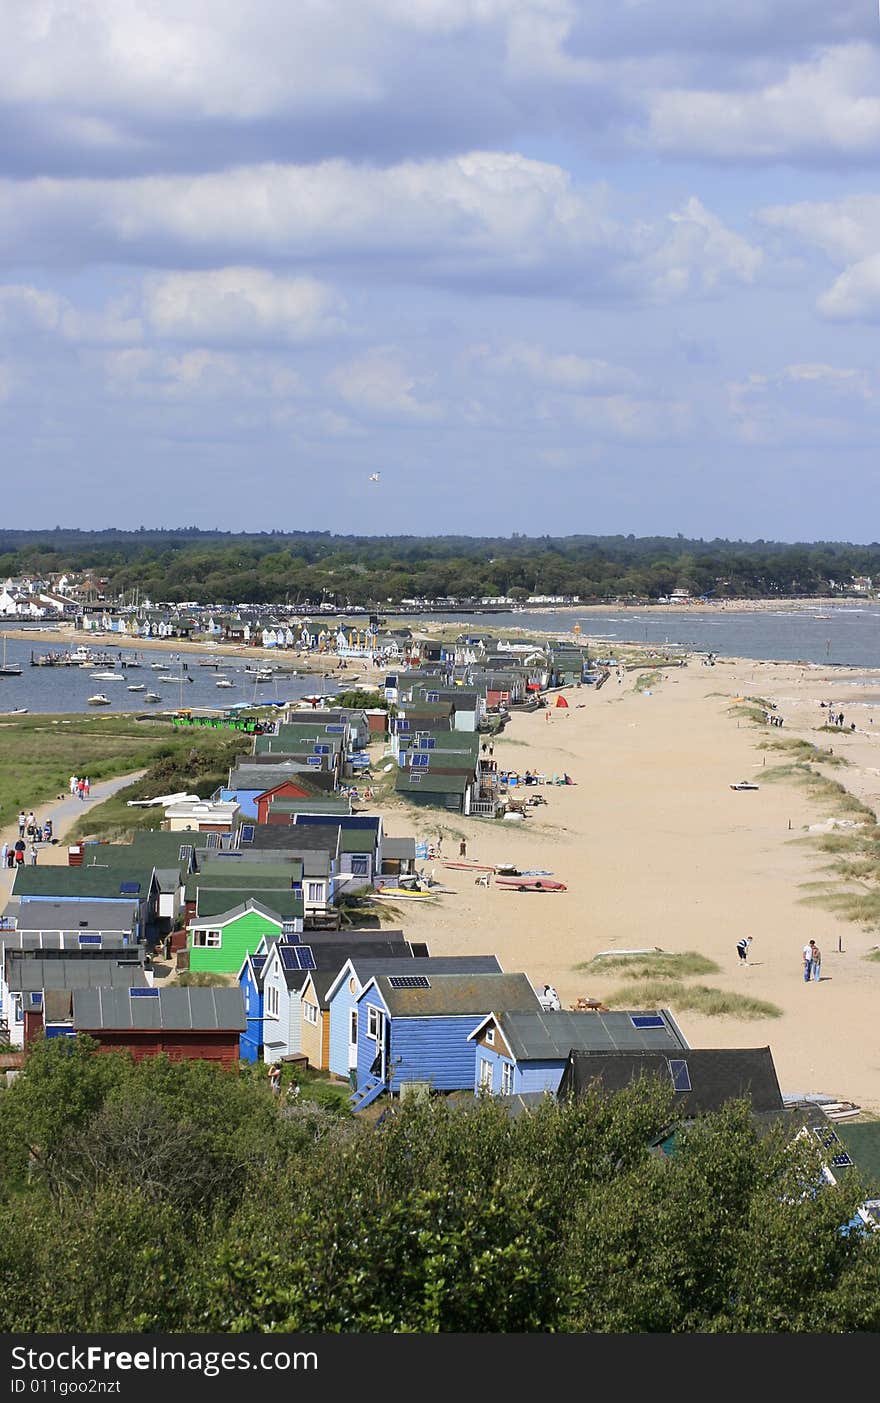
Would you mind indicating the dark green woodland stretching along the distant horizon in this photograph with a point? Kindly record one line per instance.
(305, 569)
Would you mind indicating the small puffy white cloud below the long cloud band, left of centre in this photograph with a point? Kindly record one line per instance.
(234, 307)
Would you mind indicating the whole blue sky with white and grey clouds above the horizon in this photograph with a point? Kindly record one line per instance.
(547, 267)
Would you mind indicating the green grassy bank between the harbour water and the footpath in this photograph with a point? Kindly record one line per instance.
(39, 754)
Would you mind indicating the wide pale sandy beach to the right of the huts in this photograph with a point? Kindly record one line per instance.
(658, 851)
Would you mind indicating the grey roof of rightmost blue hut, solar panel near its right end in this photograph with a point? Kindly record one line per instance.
(551, 1036)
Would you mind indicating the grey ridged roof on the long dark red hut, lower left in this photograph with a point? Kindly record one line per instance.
(190, 1009)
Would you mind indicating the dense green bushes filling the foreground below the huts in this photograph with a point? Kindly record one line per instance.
(180, 1197)
